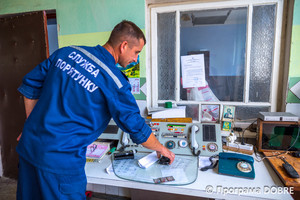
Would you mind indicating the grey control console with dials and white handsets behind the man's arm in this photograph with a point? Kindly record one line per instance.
(181, 138)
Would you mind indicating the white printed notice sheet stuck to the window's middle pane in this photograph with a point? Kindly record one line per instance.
(193, 71)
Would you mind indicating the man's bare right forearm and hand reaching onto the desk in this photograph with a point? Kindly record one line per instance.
(153, 144)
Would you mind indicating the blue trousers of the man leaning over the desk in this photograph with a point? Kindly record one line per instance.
(37, 184)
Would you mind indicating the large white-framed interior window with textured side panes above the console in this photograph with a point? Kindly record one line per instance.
(239, 42)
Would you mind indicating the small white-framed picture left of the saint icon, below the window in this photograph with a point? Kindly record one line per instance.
(210, 113)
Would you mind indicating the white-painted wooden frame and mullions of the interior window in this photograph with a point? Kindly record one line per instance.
(151, 55)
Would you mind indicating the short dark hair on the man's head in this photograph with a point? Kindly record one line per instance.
(125, 31)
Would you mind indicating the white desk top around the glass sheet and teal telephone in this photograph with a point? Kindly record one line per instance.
(265, 177)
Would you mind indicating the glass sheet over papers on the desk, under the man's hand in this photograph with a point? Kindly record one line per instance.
(184, 170)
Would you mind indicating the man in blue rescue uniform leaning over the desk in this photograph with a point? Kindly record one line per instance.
(69, 100)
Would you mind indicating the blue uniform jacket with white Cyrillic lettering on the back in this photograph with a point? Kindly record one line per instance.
(78, 89)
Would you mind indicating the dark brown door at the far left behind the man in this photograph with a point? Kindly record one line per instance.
(23, 45)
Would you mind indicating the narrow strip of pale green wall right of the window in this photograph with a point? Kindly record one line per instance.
(293, 102)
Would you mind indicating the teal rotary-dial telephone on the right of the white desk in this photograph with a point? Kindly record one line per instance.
(234, 164)
